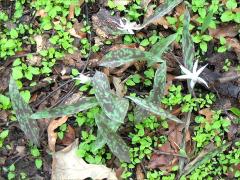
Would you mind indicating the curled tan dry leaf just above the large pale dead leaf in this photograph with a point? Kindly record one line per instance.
(52, 136)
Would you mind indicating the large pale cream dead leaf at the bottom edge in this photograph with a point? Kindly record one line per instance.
(67, 165)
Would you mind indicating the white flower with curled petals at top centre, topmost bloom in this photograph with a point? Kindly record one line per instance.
(125, 25)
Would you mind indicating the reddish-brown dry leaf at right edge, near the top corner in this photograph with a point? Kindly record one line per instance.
(229, 30)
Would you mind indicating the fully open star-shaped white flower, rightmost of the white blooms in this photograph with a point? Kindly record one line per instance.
(193, 76)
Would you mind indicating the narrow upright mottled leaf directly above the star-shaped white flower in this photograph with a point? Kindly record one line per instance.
(187, 43)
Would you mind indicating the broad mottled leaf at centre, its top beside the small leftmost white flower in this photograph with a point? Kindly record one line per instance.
(114, 107)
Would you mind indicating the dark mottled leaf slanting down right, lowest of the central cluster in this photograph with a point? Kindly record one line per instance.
(114, 141)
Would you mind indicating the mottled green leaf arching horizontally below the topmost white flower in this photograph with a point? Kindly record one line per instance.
(126, 55)
